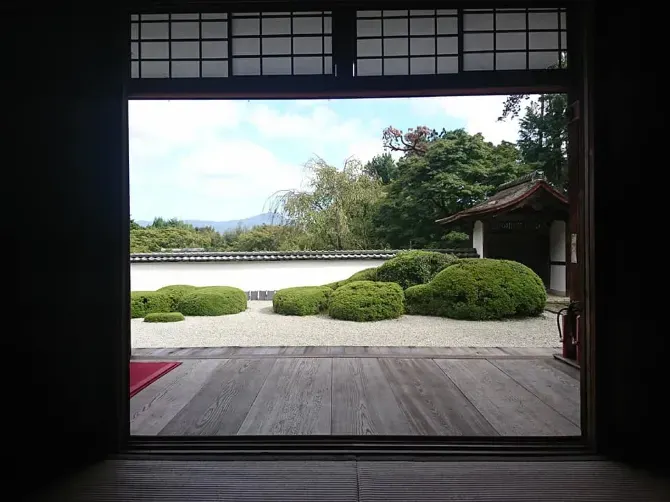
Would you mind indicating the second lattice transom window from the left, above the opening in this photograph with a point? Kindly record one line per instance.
(282, 43)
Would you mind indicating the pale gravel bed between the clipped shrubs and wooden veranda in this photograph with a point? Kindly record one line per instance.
(259, 326)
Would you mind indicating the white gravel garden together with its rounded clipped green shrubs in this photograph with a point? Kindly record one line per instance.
(418, 298)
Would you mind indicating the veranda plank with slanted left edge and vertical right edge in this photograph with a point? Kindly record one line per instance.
(295, 399)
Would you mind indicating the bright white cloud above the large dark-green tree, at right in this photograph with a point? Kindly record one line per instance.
(480, 114)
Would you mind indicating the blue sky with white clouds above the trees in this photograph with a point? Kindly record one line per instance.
(221, 160)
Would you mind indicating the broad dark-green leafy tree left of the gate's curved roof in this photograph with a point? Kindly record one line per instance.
(453, 171)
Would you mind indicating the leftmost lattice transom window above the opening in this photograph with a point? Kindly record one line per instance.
(179, 45)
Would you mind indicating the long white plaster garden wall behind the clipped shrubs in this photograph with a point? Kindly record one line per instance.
(248, 276)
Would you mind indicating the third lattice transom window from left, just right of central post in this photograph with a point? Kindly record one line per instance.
(401, 42)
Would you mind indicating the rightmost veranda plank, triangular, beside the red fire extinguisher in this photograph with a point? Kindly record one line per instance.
(550, 385)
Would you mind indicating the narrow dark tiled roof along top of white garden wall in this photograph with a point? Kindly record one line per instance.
(212, 256)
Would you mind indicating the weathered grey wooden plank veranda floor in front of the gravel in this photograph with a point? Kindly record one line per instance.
(359, 391)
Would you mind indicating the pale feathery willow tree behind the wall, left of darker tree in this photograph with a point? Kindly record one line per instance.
(335, 208)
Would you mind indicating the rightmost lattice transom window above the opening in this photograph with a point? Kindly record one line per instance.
(514, 39)
